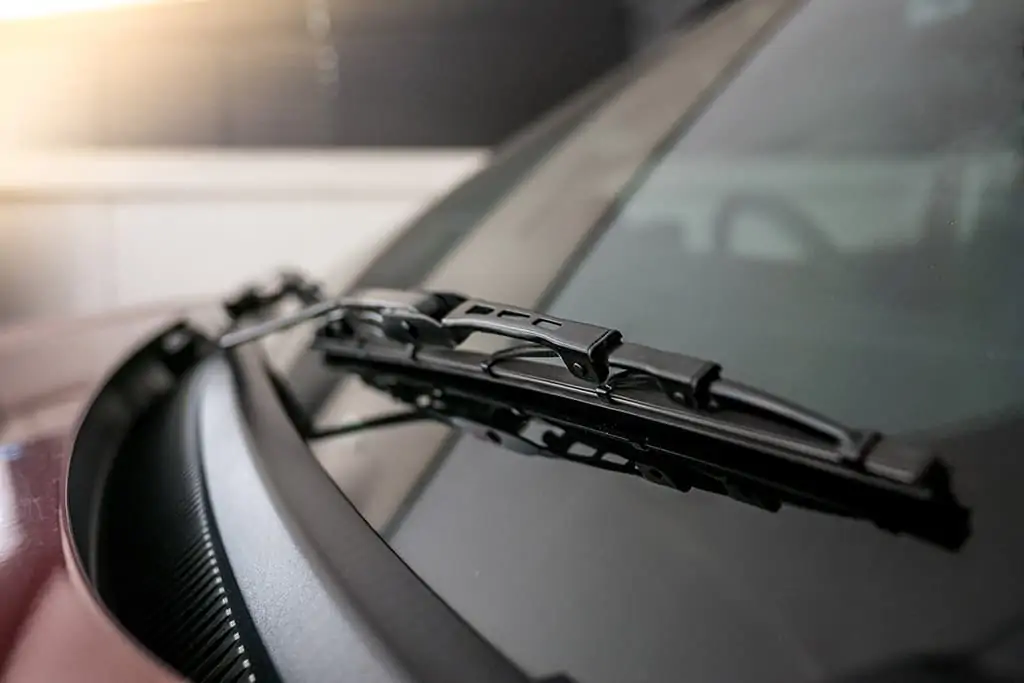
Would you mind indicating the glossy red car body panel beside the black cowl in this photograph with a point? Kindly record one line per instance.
(53, 629)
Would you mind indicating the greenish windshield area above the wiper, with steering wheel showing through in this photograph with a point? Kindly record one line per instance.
(844, 224)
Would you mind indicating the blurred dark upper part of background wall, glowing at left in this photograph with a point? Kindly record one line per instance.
(301, 73)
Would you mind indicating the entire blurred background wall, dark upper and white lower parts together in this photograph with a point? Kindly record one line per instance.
(170, 148)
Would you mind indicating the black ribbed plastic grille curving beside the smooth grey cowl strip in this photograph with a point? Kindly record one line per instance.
(162, 570)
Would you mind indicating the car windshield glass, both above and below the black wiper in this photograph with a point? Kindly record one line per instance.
(841, 226)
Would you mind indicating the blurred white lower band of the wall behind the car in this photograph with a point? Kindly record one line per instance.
(82, 233)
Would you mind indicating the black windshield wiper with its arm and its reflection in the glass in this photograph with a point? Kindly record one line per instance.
(669, 418)
